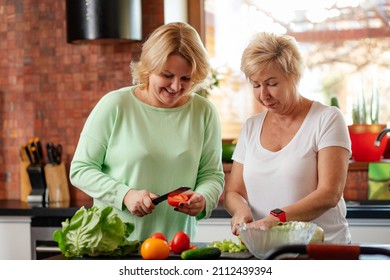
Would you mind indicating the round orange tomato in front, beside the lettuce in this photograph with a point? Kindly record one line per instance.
(154, 249)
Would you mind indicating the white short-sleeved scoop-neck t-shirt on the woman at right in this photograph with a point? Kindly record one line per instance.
(277, 179)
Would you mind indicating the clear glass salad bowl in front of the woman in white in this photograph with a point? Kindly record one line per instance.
(260, 241)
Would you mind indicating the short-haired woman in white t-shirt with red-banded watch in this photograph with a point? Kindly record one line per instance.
(291, 161)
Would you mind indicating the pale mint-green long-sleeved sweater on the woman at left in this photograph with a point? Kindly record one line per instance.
(127, 144)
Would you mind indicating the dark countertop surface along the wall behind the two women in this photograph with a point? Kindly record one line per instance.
(355, 210)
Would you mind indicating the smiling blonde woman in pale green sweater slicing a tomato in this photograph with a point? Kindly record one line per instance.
(150, 138)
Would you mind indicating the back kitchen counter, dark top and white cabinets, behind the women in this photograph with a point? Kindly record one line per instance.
(35, 225)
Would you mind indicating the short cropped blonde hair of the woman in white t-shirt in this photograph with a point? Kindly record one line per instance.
(268, 49)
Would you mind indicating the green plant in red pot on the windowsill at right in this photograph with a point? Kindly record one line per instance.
(366, 128)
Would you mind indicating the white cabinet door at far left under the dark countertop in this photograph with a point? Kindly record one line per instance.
(15, 238)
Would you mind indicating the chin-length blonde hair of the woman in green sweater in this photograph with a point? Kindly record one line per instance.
(173, 38)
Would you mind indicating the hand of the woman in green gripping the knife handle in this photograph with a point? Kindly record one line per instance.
(139, 202)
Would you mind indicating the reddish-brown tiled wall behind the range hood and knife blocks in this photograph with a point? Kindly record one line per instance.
(48, 87)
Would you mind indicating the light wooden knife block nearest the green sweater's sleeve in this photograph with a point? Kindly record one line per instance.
(57, 182)
